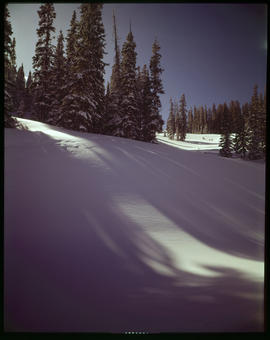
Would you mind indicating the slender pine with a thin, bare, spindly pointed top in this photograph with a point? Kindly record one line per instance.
(113, 113)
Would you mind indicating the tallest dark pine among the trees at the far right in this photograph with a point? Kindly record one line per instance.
(254, 129)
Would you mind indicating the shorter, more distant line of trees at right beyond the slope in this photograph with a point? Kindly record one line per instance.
(242, 127)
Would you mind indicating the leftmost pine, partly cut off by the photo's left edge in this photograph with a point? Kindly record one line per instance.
(9, 79)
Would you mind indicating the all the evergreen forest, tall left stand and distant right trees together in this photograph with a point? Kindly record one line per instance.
(67, 89)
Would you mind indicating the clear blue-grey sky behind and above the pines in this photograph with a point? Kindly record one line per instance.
(211, 52)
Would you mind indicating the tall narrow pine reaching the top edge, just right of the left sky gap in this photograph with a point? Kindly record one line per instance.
(42, 64)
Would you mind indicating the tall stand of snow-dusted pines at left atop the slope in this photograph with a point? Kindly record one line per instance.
(67, 87)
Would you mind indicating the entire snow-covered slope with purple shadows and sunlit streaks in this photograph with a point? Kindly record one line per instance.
(105, 234)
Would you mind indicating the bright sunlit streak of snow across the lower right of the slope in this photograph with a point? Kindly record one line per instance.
(186, 252)
